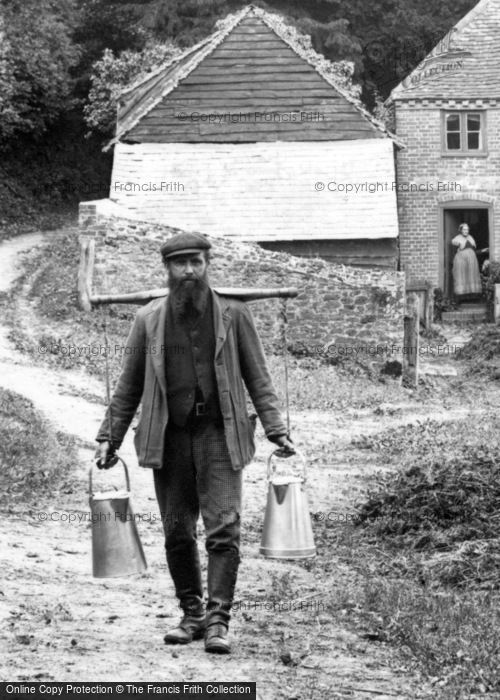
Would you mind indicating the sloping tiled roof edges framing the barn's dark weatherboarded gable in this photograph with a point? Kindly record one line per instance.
(139, 99)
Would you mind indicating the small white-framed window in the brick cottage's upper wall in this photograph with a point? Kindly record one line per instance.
(464, 133)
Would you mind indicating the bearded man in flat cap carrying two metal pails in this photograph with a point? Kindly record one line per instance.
(188, 358)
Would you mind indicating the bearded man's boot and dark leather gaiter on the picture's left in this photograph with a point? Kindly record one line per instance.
(185, 569)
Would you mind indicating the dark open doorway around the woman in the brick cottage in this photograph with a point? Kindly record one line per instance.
(478, 222)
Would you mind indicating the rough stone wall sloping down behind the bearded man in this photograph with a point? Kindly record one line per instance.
(340, 311)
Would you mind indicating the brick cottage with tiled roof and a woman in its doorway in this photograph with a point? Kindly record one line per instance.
(447, 113)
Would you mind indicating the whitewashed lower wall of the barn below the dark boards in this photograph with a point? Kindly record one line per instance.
(261, 191)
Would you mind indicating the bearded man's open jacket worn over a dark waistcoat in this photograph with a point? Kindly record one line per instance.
(239, 358)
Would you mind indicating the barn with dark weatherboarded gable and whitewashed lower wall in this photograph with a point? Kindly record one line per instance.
(249, 136)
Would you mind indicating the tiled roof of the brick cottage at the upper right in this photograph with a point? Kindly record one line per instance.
(464, 65)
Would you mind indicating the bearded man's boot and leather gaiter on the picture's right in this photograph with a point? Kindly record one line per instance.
(222, 574)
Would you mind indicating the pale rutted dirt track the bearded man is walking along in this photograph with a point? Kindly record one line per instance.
(58, 623)
